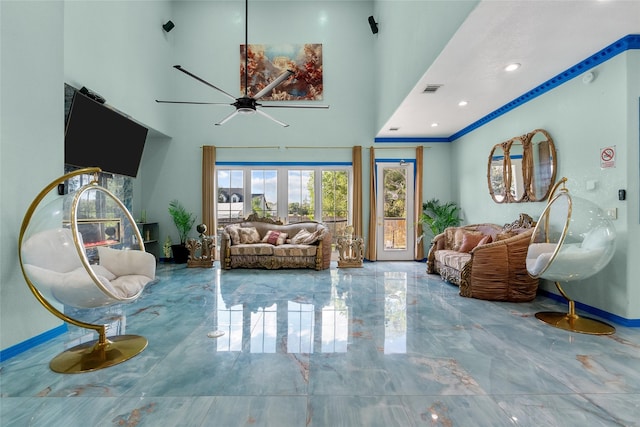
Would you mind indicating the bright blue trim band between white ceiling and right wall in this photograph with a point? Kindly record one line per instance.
(631, 41)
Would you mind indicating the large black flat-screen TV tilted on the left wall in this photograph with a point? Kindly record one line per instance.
(98, 136)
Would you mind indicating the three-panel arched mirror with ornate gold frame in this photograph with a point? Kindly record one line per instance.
(524, 175)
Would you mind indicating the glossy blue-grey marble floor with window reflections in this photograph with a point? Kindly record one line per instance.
(384, 345)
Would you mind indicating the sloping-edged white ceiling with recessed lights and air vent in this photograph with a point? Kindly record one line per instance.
(545, 37)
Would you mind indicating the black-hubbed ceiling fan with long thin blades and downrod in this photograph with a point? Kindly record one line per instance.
(246, 104)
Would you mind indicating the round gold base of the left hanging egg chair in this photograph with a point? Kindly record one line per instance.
(94, 355)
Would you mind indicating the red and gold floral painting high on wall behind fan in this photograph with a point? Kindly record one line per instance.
(267, 62)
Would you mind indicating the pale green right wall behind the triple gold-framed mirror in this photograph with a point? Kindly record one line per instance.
(582, 119)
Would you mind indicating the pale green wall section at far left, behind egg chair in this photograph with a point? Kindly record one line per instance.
(31, 146)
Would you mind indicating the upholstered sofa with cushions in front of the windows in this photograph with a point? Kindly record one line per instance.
(264, 243)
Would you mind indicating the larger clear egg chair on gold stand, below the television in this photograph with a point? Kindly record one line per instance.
(80, 253)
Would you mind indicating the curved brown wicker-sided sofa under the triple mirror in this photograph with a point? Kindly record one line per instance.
(486, 261)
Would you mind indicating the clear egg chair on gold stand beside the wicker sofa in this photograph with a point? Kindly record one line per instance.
(573, 240)
